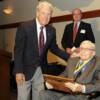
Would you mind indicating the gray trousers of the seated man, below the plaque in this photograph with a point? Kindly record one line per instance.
(52, 95)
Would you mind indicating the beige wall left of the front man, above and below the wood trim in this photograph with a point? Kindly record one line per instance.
(23, 10)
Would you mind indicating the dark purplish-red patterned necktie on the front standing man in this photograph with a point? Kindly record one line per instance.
(41, 40)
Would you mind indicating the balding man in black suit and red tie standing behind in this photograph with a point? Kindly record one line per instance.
(76, 32)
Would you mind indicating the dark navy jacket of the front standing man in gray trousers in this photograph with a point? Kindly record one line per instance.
(27, 57)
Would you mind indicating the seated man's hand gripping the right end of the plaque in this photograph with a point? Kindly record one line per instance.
(75, 87)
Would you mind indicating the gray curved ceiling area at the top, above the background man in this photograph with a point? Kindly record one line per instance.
(70, 4)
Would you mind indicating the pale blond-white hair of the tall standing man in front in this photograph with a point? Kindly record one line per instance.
(45, 3)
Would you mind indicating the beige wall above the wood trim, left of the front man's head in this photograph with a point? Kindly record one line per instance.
(23, 10)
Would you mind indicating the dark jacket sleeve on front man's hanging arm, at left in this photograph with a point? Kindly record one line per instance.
(19, 50)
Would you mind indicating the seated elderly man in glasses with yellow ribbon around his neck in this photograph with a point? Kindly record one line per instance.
(85, 69)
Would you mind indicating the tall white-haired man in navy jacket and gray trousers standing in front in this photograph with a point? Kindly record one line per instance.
(33, 40)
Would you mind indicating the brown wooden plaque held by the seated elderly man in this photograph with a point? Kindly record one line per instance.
(58, 82)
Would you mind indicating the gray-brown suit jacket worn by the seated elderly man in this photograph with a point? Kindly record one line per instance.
(90, 77)
